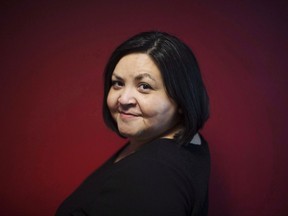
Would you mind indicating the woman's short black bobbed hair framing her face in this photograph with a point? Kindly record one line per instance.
(181, 76)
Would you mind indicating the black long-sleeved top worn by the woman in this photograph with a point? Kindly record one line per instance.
(160, 179)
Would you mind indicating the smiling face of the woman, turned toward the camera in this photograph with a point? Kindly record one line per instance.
(138, 101)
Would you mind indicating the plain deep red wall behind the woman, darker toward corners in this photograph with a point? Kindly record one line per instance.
(52, 134)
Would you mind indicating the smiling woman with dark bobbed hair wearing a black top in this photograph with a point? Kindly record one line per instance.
(155, 97)
